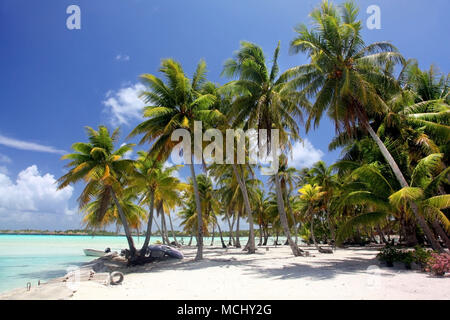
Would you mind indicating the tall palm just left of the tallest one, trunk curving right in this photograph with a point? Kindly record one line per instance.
(264, 101)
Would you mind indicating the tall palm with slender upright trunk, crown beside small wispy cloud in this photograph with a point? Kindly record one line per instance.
(176, 104)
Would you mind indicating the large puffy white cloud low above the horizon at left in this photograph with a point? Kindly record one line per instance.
(33, 192)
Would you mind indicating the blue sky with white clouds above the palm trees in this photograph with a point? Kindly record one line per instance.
(55, 81)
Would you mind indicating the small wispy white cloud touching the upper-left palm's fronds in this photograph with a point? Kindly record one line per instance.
(124, 105)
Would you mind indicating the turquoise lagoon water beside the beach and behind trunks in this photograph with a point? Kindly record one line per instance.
(30, 258)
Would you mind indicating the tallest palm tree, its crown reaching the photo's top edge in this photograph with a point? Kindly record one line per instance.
(344, 75)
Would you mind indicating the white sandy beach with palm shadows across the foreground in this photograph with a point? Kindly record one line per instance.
(352, 273)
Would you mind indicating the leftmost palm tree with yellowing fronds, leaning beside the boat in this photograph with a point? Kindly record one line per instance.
(105, 172)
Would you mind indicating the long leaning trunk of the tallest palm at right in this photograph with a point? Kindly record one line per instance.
(401, 179)
